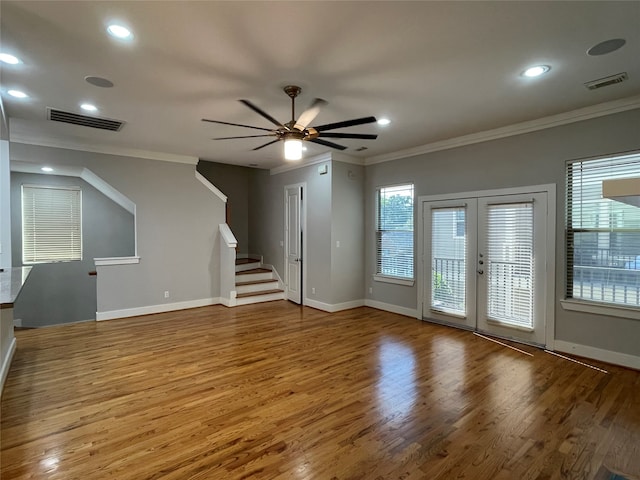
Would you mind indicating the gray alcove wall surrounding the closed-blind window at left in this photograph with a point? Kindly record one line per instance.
(64, 292)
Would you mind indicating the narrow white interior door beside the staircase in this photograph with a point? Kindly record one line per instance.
(293, 243)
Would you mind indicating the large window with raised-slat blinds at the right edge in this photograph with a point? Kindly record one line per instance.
(603, 235)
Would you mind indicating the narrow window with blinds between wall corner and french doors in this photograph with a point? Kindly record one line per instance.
(394, 233)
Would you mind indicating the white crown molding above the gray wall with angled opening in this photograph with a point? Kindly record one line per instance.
(108, 150)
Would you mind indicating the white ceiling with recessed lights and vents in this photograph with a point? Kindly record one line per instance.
(437, 70)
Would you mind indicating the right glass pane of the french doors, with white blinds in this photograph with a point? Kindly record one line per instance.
(508, 263)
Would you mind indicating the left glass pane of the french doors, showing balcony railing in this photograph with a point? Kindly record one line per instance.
(448, 260)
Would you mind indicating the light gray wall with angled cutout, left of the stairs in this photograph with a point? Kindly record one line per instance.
(177, 228)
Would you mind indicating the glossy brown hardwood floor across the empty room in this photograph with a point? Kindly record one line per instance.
(275, 391)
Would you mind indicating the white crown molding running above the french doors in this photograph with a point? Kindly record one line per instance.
(586, 113)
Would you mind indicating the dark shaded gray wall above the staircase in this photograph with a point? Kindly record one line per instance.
(233, 181)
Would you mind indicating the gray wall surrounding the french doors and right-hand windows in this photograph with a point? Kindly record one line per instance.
(529, 159)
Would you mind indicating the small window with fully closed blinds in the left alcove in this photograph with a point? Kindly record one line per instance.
(51, 224)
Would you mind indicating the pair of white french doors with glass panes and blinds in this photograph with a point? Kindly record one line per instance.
(484, 264)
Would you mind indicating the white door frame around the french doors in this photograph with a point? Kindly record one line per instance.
(550, 246)
